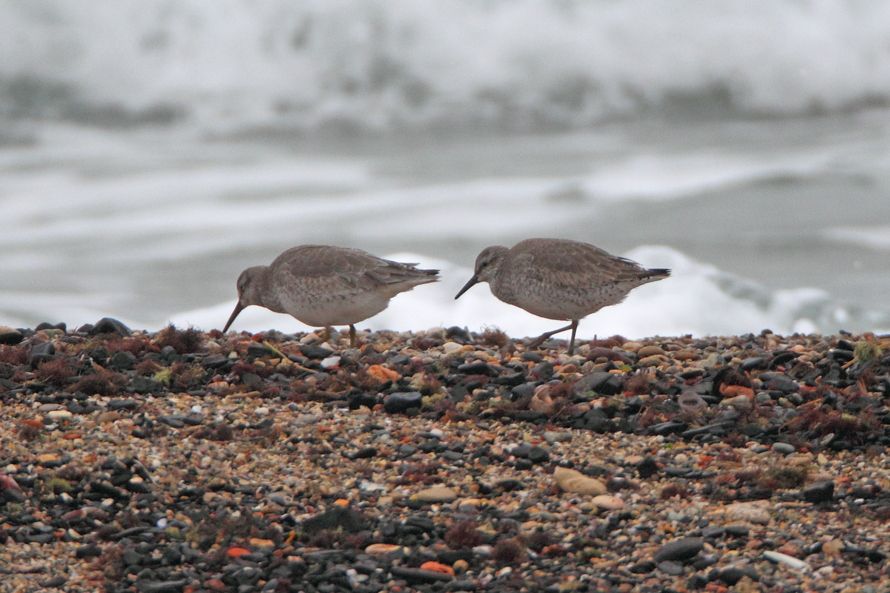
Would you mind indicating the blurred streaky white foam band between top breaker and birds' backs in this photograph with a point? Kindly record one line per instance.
(201, 208)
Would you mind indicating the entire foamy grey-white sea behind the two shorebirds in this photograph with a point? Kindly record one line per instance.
(150, 151)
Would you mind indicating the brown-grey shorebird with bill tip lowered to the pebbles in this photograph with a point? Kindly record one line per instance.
(323, 286)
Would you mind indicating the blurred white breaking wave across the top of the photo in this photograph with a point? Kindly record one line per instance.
(234, 64)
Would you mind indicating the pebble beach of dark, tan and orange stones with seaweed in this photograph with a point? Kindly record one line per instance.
(183, 461)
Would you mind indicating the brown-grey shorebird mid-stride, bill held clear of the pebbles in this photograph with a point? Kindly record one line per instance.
(558, 279)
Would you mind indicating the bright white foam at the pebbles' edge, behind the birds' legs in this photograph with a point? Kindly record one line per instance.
(697, 299)
